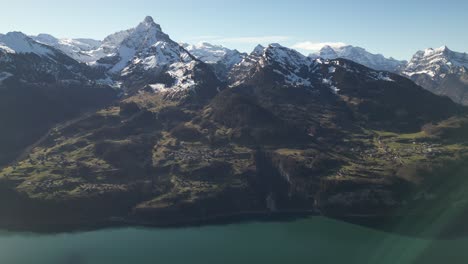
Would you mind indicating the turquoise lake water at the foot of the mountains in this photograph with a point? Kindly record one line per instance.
(312, 240)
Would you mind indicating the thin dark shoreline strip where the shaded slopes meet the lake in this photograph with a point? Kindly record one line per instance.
(384, 223)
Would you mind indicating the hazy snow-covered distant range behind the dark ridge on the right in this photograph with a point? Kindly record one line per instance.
(440, 71)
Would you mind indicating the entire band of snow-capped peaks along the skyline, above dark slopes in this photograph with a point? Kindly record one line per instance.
(144, 57)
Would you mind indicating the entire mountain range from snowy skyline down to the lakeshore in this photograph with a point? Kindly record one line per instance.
(140, 129)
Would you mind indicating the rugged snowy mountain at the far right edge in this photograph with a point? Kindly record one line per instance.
(441, 71)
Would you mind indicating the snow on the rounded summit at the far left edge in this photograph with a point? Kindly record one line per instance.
(17, 42)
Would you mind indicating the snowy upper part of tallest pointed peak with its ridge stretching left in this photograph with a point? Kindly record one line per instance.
(146, 44)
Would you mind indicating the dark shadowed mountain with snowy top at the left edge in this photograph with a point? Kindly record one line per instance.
(39, 87)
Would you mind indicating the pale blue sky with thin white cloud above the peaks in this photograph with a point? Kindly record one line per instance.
(396, 28)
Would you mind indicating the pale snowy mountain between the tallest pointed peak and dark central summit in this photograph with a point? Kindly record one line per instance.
(220, 58)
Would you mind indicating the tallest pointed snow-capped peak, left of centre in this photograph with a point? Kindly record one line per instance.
(146, 57)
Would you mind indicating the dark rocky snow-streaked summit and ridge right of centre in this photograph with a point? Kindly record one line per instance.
(278, 65)
